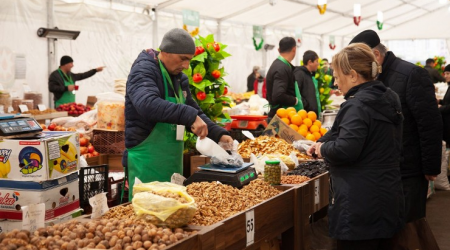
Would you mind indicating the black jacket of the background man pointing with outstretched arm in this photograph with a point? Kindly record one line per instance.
(56, 82)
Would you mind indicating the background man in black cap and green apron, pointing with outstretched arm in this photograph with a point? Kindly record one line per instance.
(62, 81)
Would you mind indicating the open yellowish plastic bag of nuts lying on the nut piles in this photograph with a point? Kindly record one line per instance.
(163, 204)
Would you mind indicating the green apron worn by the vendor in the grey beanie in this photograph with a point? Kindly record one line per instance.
(160, 155)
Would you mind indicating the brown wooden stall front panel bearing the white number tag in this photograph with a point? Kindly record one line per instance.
(272, 218)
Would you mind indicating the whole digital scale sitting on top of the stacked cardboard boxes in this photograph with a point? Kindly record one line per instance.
(12, 126)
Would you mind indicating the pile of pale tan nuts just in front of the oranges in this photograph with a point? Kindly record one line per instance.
(268, 145)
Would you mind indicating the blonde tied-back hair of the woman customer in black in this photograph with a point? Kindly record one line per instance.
(359, 57)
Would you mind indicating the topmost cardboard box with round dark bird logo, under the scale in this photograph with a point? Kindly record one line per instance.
(39, 159)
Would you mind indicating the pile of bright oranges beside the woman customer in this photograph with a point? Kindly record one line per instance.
(305, 123)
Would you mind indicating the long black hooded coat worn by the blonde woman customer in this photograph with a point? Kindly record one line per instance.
(363, 148)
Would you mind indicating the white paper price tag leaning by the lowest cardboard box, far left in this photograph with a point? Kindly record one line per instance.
(33, 217)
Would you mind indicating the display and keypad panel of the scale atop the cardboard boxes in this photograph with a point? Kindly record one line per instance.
(17, 126)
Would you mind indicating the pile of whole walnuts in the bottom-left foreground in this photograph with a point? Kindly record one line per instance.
(97, 234)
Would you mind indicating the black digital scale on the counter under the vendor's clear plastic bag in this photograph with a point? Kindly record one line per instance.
(236, 176)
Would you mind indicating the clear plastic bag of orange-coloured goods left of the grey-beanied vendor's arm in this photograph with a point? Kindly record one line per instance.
(110, 111)
